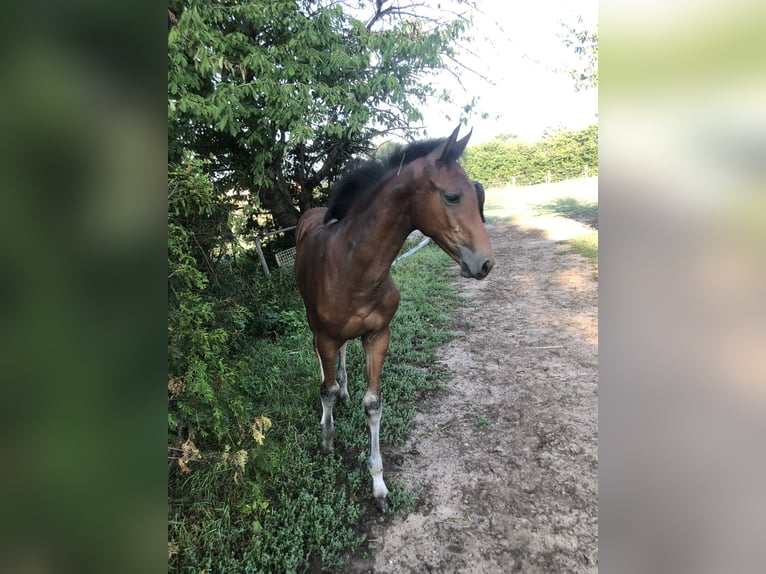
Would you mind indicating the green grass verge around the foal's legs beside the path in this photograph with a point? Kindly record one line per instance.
(291, 506)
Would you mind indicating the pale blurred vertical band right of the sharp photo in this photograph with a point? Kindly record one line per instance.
(683, 273)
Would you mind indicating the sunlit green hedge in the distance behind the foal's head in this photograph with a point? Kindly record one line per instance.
(504, 160)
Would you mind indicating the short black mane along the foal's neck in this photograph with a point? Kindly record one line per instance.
(357, 185)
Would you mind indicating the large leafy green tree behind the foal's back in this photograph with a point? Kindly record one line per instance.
(279, 94)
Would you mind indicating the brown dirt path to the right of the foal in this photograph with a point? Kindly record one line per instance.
(505, 463)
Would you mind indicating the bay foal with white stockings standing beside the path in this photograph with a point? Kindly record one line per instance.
(343, 258)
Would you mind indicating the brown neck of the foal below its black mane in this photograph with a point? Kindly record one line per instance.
(378, 231)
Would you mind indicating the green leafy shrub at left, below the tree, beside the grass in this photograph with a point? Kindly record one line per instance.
(202, 326)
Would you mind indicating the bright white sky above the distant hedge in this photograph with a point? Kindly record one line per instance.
(518, 46)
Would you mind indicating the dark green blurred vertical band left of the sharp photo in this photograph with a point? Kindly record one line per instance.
(82, 148)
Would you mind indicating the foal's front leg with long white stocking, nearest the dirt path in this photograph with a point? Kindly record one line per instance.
(375, 347)
